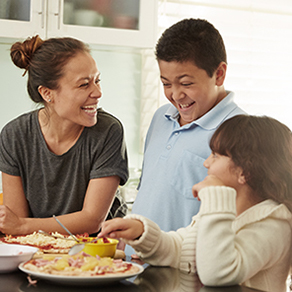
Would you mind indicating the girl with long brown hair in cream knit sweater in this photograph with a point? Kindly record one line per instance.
(243, 231)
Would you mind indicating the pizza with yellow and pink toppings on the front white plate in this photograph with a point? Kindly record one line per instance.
(81, 264)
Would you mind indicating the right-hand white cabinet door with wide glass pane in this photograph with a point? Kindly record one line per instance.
(107, 22)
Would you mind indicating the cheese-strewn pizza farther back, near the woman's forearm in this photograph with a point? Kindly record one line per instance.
(59, 243)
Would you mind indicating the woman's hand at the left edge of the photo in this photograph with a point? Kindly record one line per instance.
(10, 223)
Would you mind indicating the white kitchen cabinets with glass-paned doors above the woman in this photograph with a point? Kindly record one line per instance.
(130, 23)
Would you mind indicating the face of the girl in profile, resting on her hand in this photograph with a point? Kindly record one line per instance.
(224, 169)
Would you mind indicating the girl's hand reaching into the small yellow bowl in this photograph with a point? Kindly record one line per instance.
(129, 229)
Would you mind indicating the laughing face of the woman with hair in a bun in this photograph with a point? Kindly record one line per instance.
(79, 91)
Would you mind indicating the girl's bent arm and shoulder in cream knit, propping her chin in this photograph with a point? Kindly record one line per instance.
(231, 251)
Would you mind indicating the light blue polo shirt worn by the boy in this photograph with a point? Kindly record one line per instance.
(173, 163)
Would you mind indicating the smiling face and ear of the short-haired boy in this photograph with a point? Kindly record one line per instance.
(190, 89)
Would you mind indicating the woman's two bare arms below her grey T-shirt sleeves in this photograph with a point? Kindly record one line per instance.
(14, 213)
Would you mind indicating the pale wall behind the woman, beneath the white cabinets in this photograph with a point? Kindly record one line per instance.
(120, 81)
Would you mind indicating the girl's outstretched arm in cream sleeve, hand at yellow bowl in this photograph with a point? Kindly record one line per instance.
(150, 243)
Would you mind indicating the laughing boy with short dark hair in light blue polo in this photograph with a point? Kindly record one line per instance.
(192, 61)
